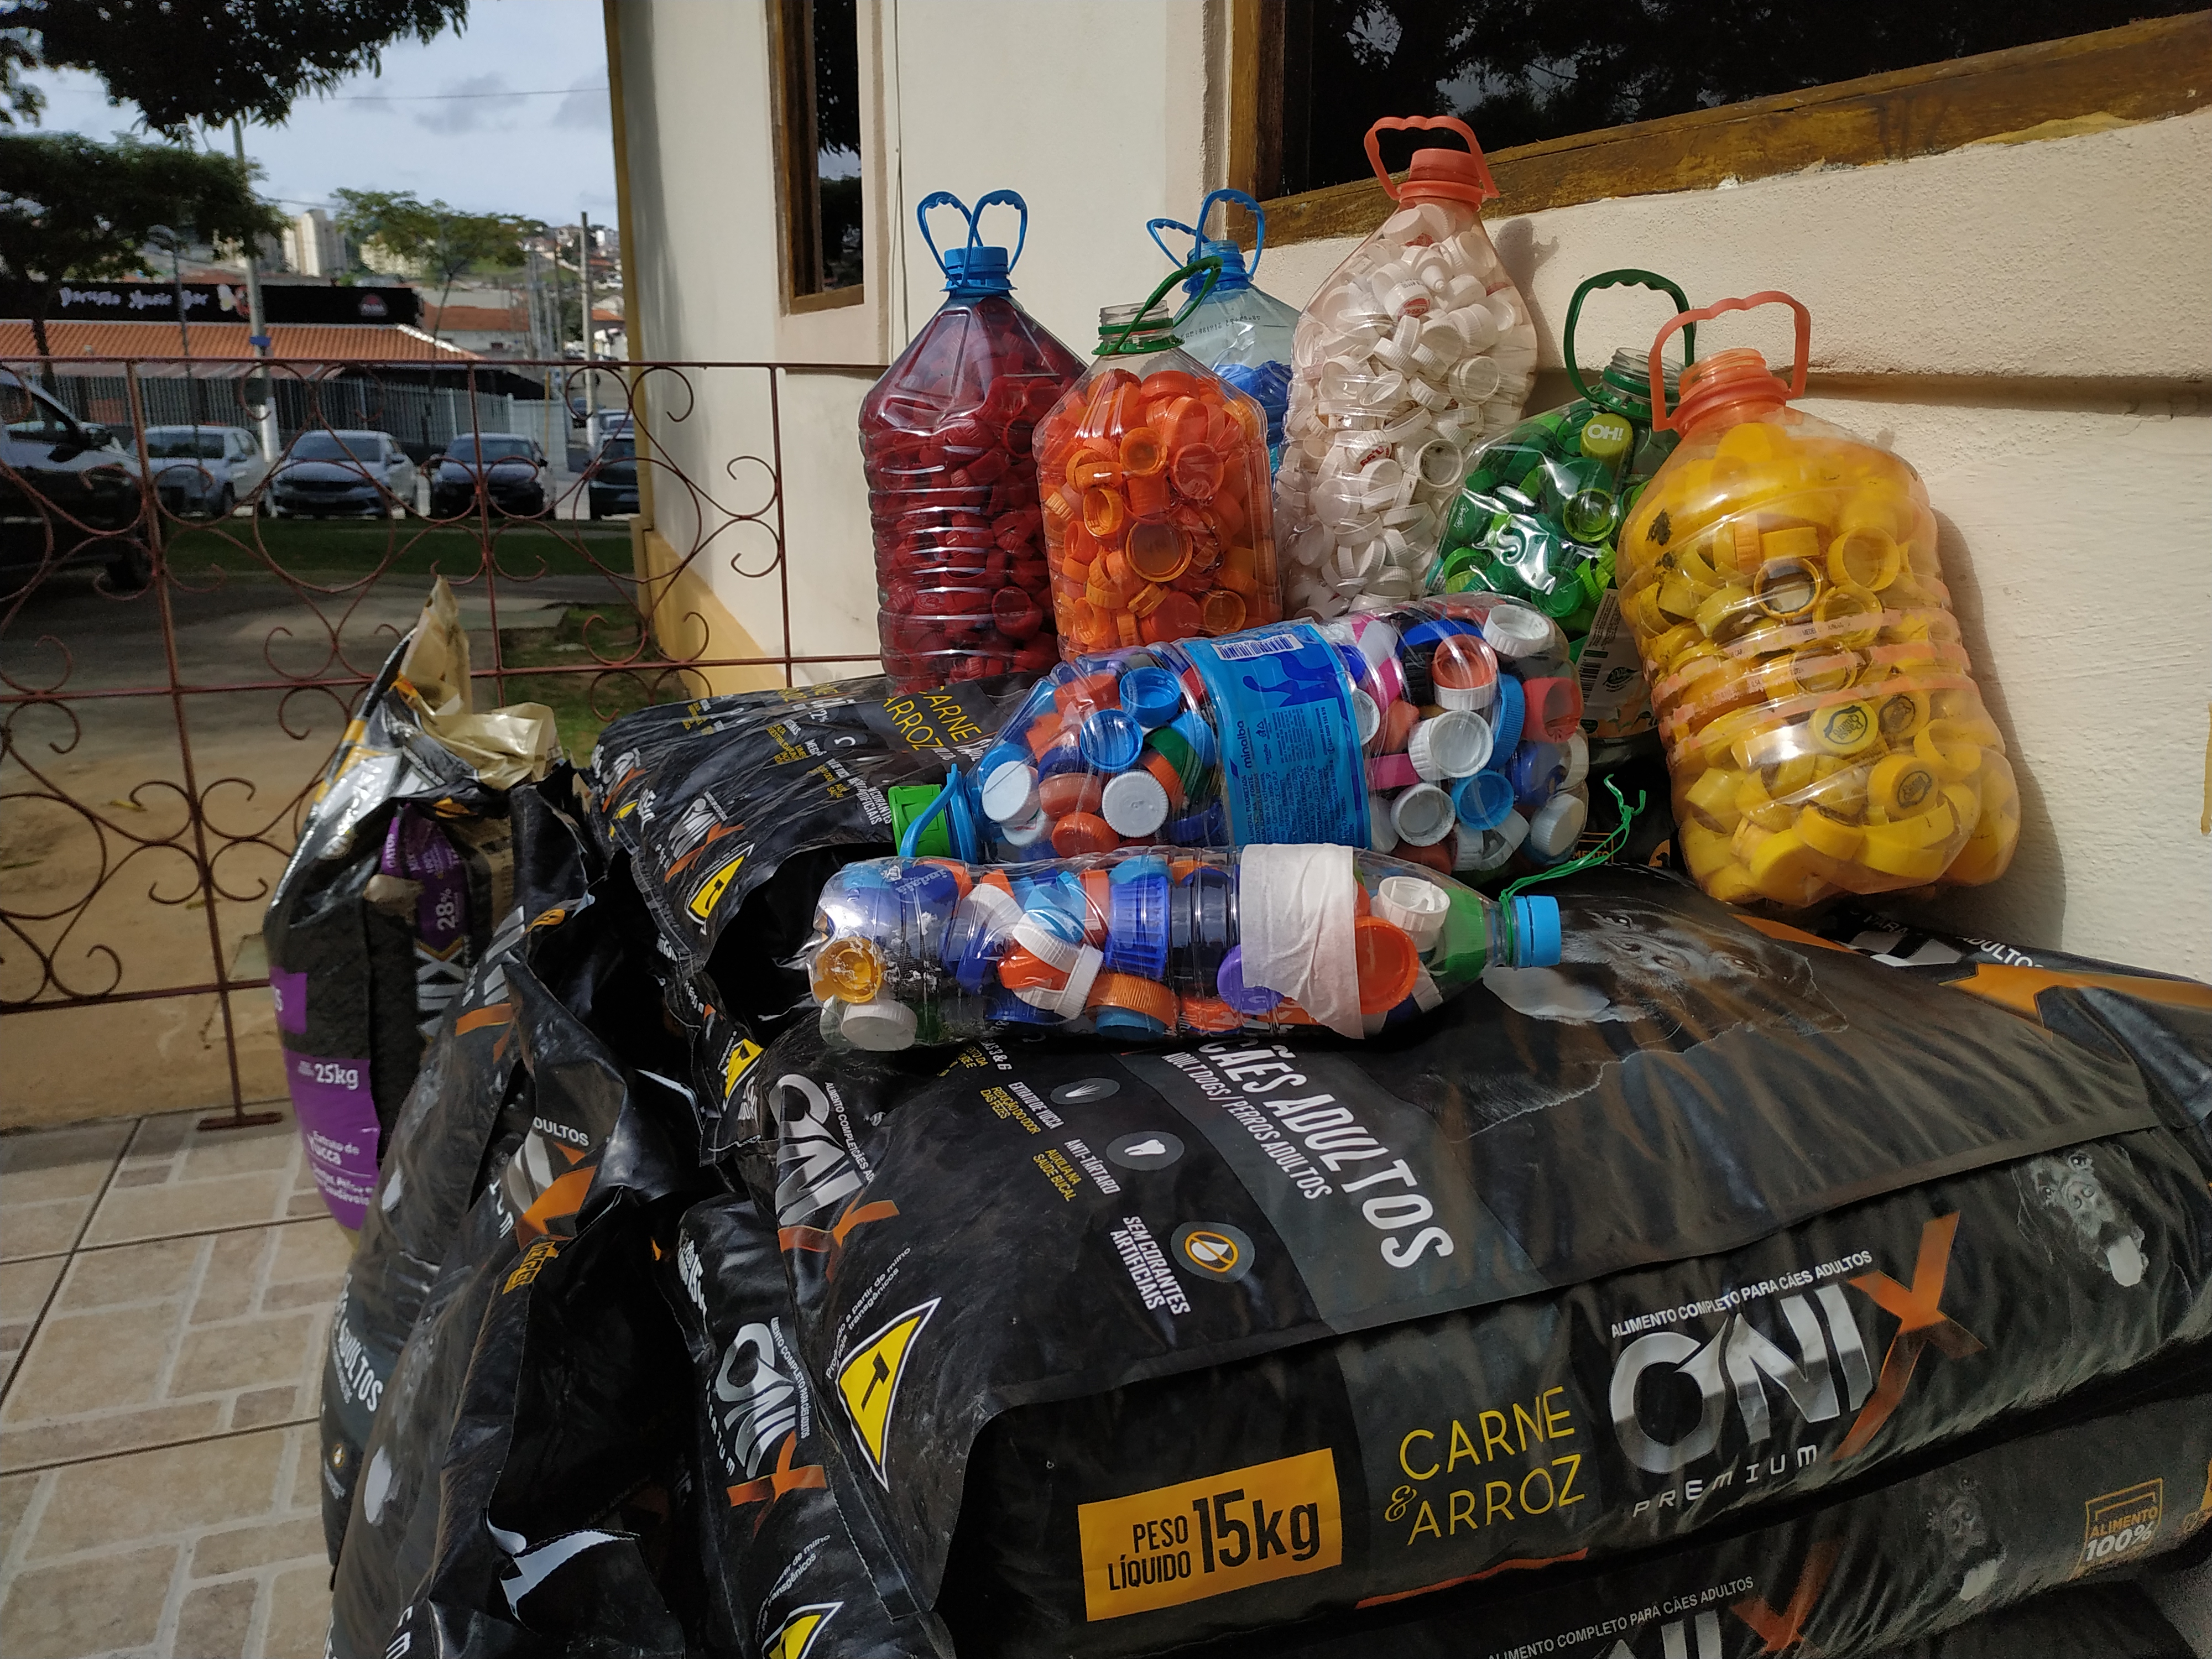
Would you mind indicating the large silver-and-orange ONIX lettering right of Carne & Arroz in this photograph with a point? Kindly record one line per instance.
(1740, 1364)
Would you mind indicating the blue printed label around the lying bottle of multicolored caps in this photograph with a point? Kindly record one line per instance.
(1291, 749)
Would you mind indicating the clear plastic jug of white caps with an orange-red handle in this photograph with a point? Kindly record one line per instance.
(1410, 355)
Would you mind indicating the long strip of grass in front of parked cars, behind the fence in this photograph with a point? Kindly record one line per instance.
(342, 552)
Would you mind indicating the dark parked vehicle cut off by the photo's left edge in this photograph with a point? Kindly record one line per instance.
(63, 494)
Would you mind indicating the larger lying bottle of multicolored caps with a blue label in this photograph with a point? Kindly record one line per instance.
(1443, 731)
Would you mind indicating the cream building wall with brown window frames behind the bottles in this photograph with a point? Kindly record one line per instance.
(2007, 264)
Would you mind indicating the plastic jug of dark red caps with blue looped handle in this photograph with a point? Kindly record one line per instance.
(952, 483)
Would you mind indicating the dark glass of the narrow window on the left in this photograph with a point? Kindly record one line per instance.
(822, 132)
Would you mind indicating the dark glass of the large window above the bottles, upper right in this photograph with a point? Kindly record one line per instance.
(1521, 72)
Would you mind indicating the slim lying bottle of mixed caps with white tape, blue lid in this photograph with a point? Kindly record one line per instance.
(1156, 943)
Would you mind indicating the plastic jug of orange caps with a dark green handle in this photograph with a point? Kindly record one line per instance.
(1154, 479)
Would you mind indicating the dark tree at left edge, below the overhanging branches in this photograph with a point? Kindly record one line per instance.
(74, 207)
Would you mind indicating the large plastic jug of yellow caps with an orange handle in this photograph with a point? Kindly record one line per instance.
(1822, 724)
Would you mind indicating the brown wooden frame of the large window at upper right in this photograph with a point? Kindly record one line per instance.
(2140, 72)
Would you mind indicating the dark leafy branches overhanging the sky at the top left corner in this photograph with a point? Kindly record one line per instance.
(216, 61)
